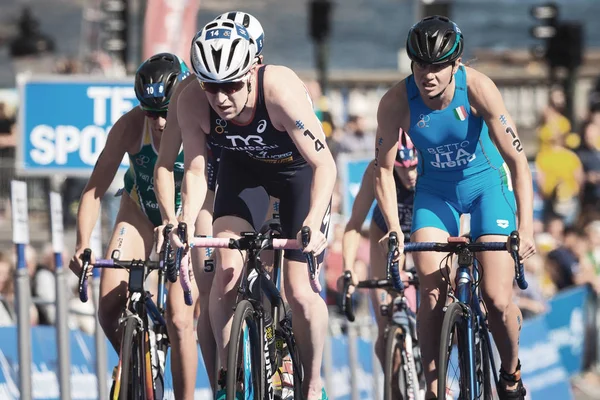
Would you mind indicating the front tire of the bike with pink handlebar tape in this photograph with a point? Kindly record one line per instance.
(244, 312)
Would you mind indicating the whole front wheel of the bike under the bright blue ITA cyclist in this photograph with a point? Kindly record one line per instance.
(452, 366)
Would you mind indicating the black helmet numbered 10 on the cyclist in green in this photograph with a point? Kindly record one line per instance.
(156, 80)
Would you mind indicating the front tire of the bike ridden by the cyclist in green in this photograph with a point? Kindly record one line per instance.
(131, 376)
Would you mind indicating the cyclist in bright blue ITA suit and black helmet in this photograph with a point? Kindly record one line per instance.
(471, 160)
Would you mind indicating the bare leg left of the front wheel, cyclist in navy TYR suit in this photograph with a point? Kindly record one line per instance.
(226, 280)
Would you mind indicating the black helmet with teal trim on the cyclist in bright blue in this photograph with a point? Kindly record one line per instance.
(434, 40)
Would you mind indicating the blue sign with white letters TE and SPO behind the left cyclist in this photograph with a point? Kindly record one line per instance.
(65, 122)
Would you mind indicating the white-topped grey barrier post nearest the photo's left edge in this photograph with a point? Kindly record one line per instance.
(20, 220)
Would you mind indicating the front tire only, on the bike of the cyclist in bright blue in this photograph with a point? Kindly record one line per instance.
(452, 318)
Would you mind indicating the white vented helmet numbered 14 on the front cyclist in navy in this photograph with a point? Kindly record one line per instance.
(222, 51)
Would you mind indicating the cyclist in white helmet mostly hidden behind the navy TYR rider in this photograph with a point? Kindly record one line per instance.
(185, 360)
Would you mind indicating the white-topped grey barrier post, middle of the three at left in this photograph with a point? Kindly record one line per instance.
(62, 310)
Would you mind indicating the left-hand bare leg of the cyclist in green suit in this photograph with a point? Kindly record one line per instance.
(133, 235)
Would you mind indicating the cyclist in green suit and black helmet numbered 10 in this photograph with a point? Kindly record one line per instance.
(136, 134)
